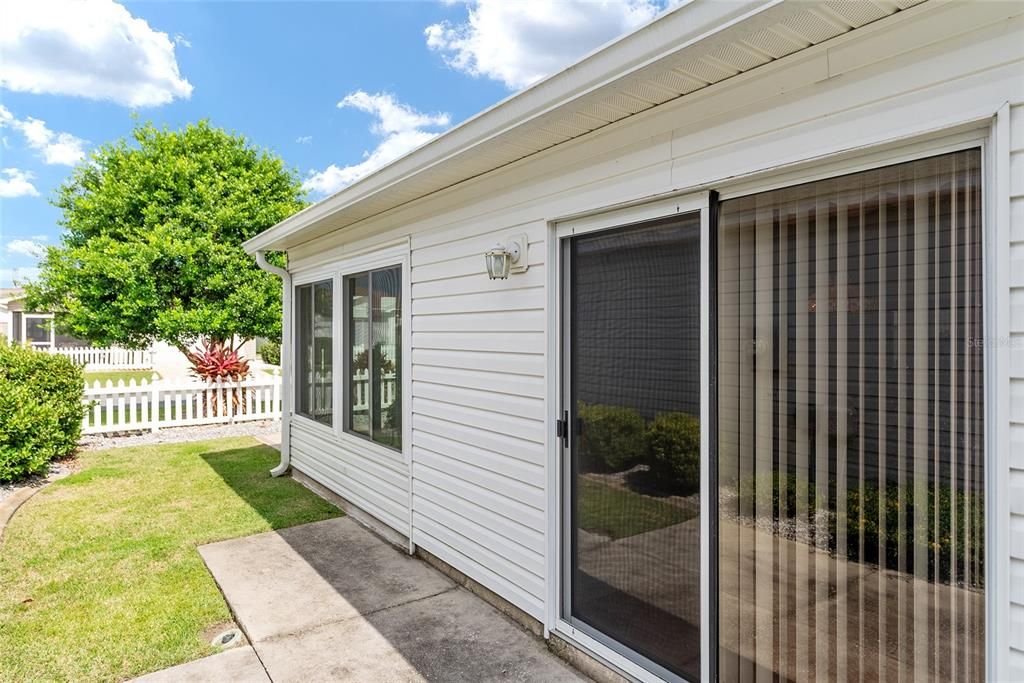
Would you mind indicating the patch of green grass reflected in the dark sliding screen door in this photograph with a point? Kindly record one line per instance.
(618, 513)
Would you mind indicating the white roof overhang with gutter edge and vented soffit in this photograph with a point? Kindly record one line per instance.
(685, 51)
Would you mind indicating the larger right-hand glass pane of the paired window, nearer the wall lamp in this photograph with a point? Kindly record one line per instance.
(373, 355)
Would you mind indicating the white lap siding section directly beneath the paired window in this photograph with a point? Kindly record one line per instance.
(378, 486)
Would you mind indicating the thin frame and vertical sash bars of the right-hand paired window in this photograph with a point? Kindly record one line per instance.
(347, 370)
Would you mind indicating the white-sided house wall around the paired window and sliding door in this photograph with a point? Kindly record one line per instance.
(478, 472)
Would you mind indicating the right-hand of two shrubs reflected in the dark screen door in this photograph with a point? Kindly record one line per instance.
(674, 451)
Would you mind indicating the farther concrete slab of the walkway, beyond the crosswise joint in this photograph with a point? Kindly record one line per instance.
(296, 579)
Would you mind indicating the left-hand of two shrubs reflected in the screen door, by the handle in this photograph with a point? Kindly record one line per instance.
(612, 438)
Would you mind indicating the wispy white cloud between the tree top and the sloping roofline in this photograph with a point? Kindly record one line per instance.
(400, 125)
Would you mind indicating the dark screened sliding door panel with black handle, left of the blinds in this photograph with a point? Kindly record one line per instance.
(632, 316)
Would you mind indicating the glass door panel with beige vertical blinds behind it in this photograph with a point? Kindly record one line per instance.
(851, 428)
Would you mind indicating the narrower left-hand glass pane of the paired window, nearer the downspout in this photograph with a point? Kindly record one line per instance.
(315, 381)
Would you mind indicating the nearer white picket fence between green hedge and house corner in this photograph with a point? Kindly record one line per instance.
(153, 405)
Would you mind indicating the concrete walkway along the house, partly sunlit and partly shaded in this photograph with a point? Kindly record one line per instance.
(330, 602)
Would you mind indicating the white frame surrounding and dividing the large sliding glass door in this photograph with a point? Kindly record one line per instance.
(988, 135)
